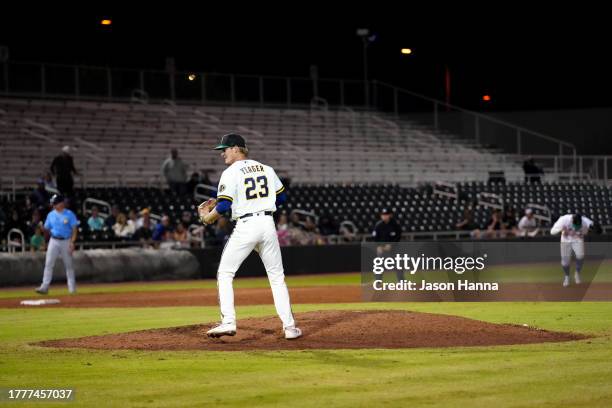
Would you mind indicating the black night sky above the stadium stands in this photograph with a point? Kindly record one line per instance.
(524, 58)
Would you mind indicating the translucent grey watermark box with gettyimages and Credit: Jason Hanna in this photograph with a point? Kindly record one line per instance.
(509, 270)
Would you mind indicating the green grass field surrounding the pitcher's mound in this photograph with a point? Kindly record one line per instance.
(547, 375)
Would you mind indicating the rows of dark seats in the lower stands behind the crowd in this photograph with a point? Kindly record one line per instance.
(417, 209)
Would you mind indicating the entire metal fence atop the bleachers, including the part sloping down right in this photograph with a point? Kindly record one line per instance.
(130, 85)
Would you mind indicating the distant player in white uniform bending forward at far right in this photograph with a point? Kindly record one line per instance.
(573, 228)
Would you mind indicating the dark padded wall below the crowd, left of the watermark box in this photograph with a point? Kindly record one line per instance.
(137, 264)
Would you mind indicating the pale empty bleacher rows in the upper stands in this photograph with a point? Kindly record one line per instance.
(125, 144)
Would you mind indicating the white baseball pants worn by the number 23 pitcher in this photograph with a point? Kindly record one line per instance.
(258, 233)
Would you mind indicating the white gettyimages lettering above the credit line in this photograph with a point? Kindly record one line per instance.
(412, 265)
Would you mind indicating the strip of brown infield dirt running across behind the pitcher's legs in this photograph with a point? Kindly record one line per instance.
(324, 294)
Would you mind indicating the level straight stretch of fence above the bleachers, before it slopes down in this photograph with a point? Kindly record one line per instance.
(133, 85)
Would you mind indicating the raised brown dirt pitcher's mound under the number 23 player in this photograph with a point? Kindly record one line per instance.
(329, 330)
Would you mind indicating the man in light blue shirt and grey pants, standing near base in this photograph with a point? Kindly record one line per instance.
(62, 225)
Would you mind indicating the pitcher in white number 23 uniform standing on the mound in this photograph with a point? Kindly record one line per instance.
(252, 190)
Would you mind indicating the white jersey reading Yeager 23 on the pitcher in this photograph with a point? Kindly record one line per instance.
(250, 186)
